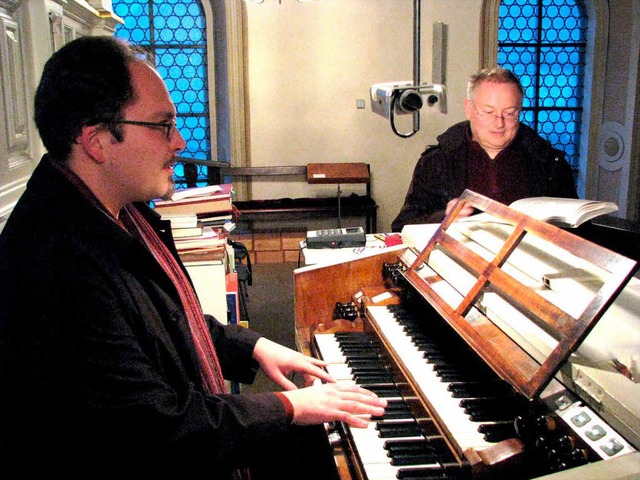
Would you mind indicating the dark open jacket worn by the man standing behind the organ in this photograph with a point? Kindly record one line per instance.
(441, 174)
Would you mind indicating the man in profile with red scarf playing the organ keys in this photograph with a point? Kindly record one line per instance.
(108, 365)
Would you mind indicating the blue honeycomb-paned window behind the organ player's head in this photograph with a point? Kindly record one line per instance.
(174, 32)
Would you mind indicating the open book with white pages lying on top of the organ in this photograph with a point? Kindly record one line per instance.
(561, 212)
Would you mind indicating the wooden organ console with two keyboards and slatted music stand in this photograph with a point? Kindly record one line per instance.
(494, 345)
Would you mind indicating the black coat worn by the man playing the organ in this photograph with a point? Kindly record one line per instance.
(97, 368)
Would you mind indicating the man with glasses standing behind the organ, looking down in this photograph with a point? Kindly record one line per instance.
(491, 153)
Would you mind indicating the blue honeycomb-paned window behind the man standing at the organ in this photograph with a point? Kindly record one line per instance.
(544, 43)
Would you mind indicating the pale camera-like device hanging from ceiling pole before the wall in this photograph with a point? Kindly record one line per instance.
(398, 98)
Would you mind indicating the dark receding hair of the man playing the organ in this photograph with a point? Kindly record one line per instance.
(86, 82)
